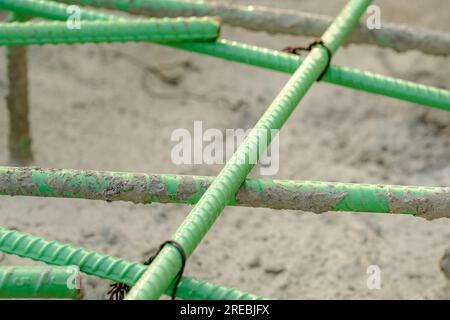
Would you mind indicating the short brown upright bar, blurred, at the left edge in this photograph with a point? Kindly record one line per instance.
(17, 101)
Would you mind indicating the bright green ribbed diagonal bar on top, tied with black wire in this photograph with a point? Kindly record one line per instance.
(168, 262)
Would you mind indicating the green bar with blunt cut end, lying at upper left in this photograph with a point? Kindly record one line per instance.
(161, 30)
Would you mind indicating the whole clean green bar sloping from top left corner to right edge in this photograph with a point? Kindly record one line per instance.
(265, 58)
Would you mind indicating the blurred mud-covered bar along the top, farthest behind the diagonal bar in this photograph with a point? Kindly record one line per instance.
(401, 38)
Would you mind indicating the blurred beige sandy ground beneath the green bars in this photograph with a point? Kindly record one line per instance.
(100, 107)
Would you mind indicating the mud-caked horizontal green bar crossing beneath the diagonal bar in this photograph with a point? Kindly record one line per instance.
(313, 196)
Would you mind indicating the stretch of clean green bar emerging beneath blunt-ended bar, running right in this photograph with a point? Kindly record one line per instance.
(343, 76)
